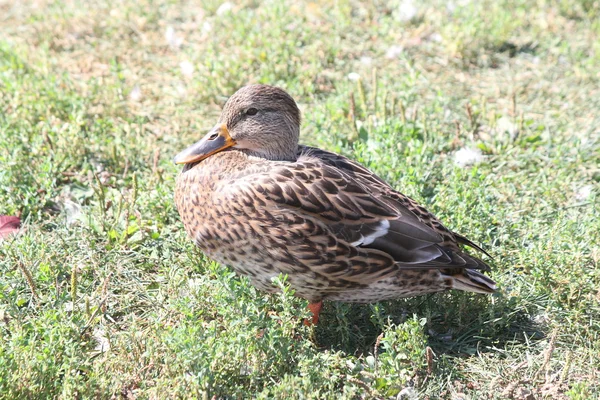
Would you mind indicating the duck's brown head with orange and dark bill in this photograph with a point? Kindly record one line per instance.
(261, 120)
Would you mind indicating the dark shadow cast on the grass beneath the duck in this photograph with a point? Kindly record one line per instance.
(458, 324)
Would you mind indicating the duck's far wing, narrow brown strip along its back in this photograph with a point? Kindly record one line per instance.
(451, 239)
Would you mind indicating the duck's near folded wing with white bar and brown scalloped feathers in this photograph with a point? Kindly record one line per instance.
(343, 228)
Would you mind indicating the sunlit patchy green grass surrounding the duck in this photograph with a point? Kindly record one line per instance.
(118, 302)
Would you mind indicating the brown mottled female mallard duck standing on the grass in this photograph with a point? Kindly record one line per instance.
(252, 198)
